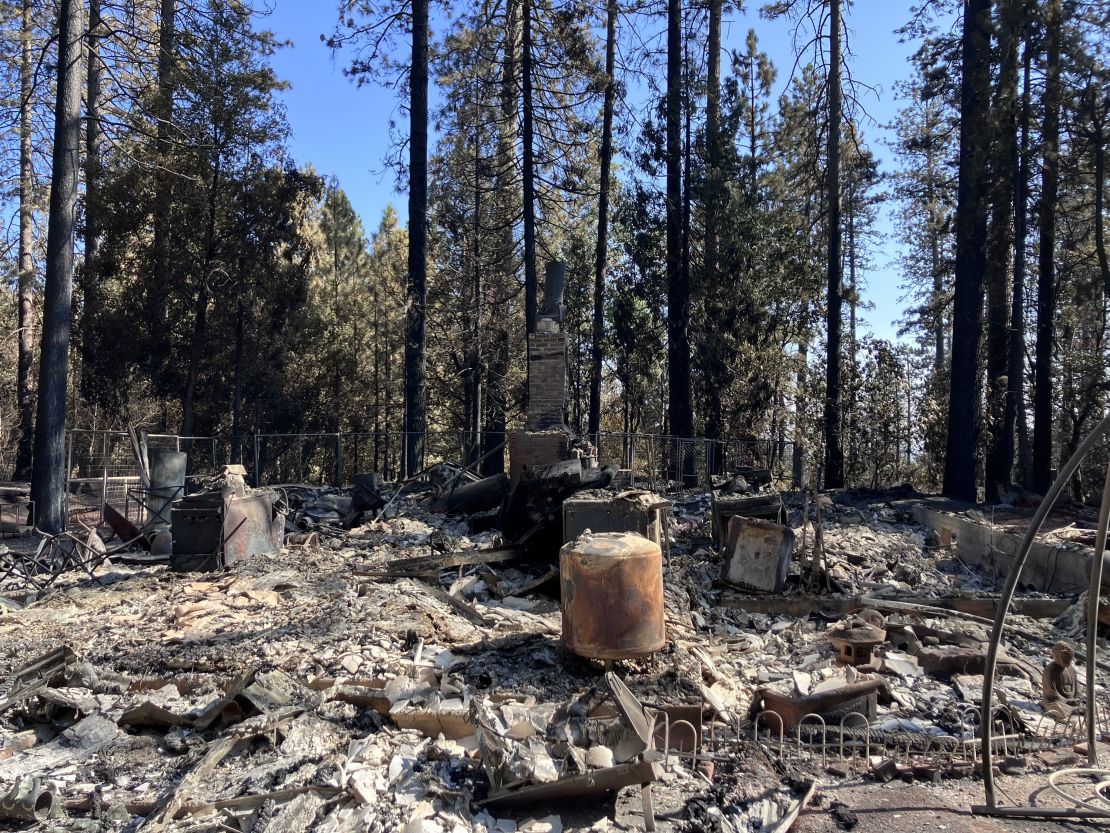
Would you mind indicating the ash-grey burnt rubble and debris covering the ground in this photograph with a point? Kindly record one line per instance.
(395, 667)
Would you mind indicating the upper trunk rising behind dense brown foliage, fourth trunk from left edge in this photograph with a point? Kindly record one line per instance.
(164, 195)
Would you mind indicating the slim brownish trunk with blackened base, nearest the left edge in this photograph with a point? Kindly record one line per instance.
(26, 358)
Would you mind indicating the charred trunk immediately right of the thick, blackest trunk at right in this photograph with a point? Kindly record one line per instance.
(1000, 307)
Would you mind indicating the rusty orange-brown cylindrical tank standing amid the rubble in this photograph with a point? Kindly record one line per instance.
(612, 596)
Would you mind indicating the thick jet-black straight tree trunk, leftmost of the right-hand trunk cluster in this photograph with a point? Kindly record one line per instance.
(972, 207)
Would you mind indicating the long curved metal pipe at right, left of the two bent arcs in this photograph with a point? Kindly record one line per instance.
(1012, 586)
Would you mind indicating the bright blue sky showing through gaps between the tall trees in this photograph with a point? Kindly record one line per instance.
(344, 129)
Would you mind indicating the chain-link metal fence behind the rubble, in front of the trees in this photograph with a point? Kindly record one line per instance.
(102, 469)
